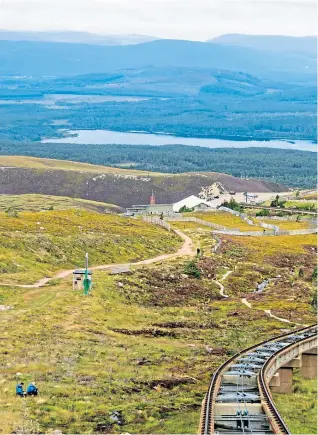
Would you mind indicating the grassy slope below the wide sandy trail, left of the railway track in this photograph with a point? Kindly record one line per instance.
(137, 346)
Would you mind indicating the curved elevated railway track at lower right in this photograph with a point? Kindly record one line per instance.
(238, 399)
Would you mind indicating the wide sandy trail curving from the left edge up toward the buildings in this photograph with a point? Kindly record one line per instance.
(187, 249)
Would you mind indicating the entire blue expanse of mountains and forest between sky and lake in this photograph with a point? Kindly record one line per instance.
(235, 86)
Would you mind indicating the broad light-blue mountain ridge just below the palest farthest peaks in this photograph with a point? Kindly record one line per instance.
(49, 58)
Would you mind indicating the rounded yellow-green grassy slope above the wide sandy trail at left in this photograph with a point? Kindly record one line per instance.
(35, 244)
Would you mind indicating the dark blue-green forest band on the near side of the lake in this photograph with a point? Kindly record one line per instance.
(290, 167)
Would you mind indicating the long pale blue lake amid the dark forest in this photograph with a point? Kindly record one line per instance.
(105, 137)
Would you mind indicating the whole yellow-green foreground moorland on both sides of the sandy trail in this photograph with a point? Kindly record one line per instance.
(137, 355)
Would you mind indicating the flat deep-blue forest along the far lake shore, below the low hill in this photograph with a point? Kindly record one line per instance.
(200, 116)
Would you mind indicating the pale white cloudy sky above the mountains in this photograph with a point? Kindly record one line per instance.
(180, 19)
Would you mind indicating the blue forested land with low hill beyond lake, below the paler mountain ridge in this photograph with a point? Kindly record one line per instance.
(189, 102)
